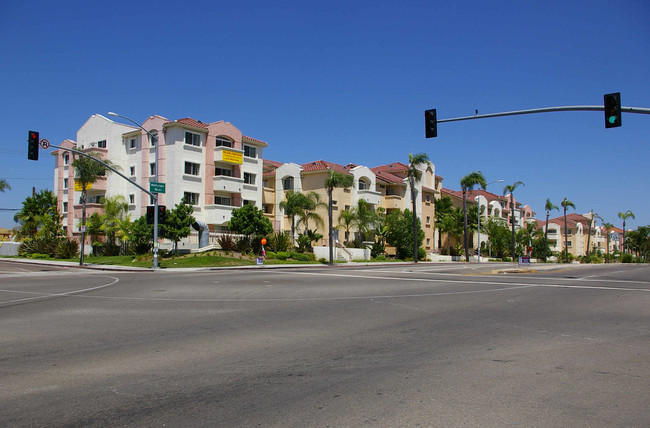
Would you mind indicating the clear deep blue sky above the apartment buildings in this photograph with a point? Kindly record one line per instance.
(348, 82)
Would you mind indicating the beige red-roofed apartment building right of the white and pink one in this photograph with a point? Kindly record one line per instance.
(384, 186)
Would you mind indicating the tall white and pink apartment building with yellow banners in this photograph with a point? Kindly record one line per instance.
(211, 166)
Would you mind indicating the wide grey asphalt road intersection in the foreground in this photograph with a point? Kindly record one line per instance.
(389, 346)
